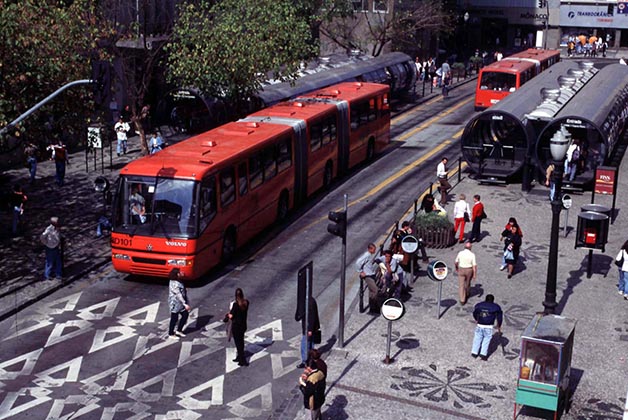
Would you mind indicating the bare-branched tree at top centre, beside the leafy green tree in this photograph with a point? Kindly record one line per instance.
(401, 26)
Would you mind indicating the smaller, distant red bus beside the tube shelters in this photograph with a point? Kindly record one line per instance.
(501, 78)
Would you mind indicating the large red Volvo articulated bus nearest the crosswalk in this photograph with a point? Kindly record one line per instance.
(192, 204)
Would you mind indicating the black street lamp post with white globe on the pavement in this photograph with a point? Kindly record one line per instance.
(558, 149)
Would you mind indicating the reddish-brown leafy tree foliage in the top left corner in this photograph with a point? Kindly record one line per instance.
(44, 45)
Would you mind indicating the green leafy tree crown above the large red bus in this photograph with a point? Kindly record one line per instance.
(228, 48)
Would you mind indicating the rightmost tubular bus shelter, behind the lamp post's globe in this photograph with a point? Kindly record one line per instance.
(597, 123)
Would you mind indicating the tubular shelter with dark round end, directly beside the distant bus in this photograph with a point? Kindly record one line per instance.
(497, 142)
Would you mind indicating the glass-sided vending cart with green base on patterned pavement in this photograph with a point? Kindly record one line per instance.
(545, 363)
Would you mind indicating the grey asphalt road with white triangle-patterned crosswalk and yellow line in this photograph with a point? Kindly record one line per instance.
(100, 347)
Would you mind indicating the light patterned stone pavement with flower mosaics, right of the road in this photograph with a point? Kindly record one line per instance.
(435, 377)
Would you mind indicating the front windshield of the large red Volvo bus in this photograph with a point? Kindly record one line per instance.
(161, 207)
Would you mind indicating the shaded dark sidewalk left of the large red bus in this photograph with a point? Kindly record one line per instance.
(77, 205)
